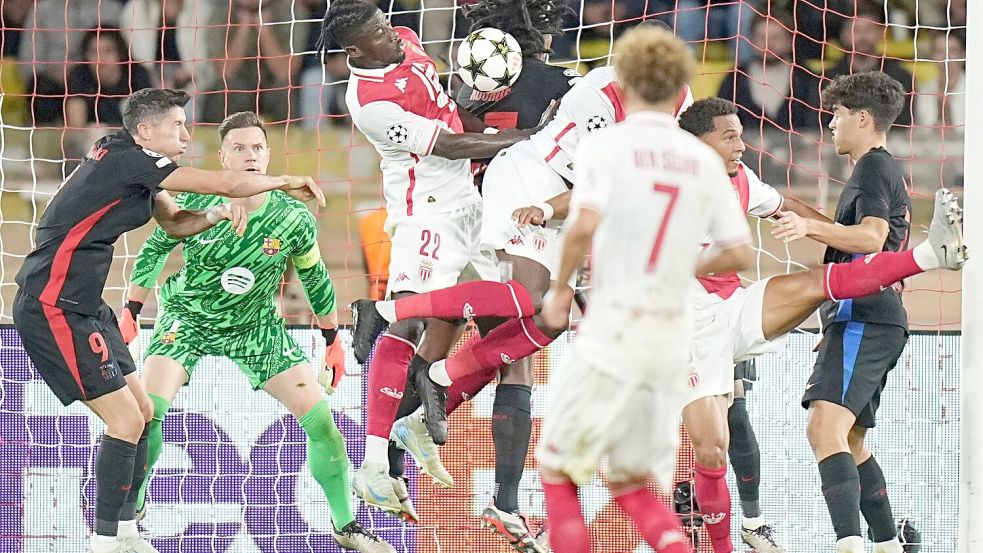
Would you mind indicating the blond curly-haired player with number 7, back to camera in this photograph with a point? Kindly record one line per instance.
(644, 203)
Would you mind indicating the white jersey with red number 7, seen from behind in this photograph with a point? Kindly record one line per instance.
(658, 190)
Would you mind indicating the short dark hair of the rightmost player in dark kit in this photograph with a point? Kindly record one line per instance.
(875, 91)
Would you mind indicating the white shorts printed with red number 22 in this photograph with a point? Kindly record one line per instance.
(430, 252)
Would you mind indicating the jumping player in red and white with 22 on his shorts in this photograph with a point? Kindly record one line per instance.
(433, 209)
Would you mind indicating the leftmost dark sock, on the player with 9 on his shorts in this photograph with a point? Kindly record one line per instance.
(114, 478)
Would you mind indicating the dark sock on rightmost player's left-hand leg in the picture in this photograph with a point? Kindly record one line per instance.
(841, 490)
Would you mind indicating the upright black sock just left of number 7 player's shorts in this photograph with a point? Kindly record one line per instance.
(511, 429)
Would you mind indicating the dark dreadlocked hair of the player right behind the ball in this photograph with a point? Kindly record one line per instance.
(529, 21)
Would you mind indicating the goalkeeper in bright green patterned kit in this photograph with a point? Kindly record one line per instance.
(222, 303)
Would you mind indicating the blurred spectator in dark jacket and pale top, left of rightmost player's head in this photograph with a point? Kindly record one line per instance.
(771, 88)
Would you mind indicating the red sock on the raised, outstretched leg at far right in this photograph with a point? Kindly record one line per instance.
(868, 275)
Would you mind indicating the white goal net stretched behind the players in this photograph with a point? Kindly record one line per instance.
(233, 475)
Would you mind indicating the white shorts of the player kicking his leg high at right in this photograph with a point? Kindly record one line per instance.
(726, 331)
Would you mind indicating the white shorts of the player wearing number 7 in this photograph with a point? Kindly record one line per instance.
(593, 413)
